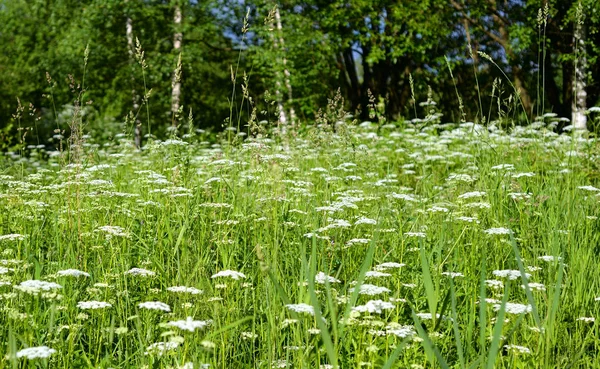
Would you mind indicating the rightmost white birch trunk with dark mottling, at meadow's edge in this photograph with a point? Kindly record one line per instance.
(578, 118)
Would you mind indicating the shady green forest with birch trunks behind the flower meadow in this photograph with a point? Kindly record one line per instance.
(290, 57)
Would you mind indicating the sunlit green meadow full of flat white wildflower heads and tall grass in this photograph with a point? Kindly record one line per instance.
(398, 246)
